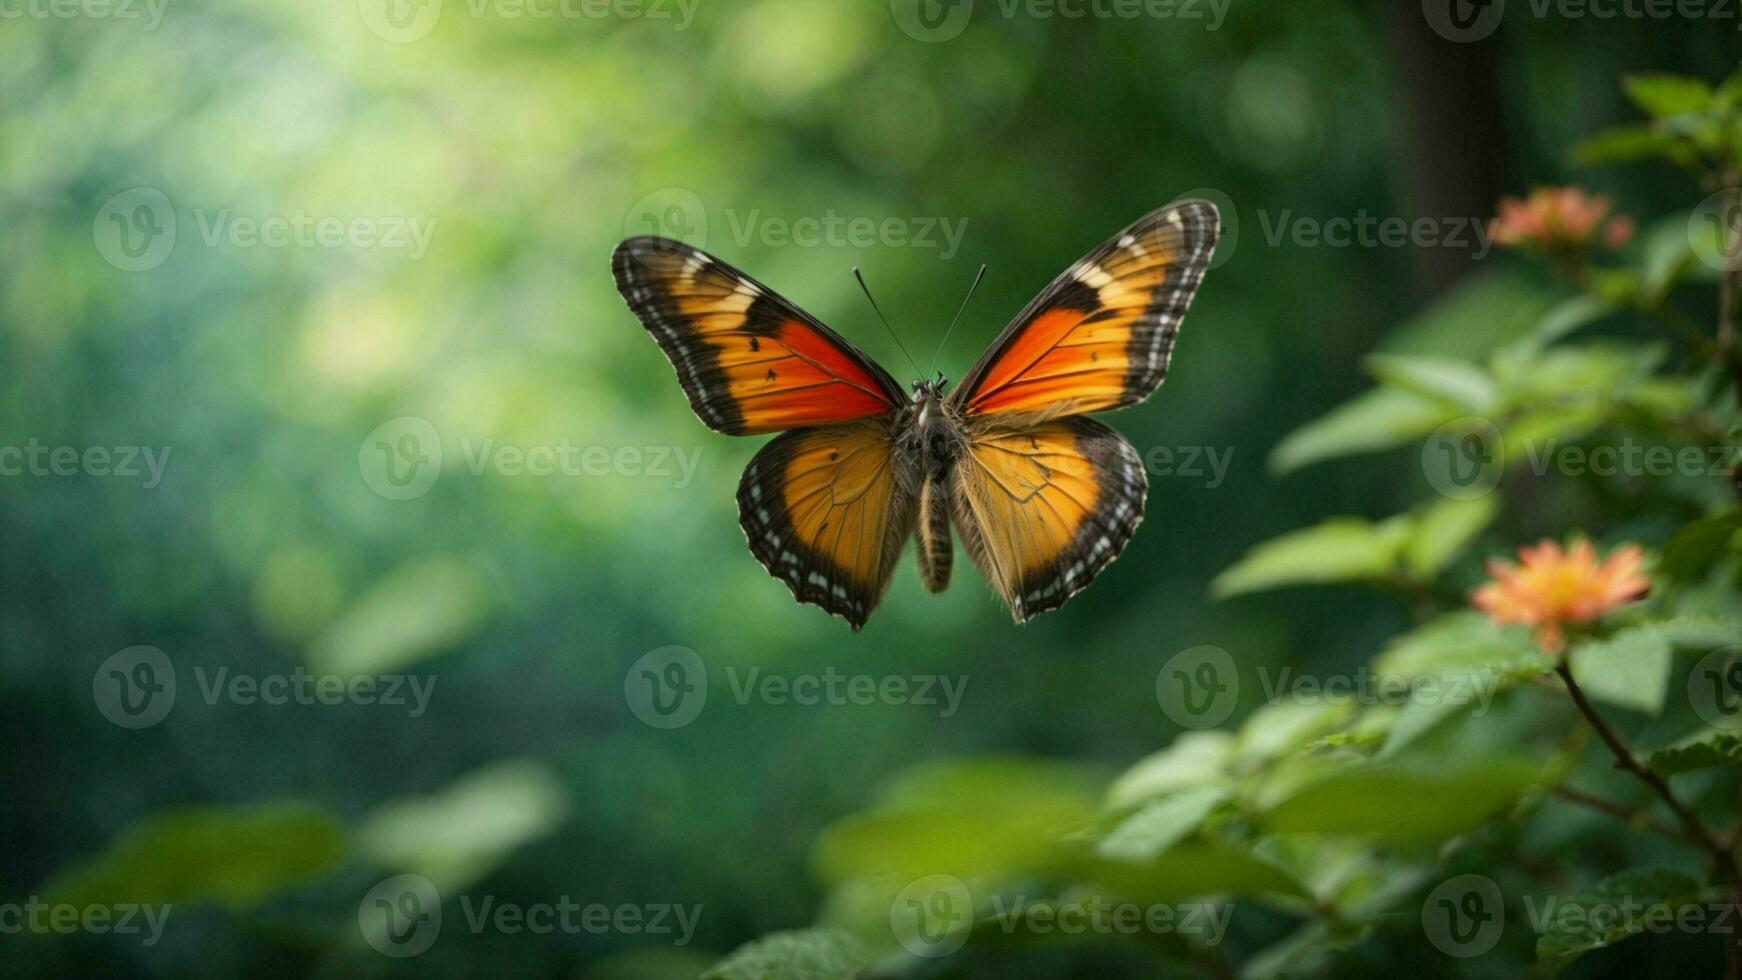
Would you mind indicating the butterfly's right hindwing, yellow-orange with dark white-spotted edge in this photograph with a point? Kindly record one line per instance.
(1044, 509)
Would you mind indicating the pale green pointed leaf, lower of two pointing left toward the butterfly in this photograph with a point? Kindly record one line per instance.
(1342, 549)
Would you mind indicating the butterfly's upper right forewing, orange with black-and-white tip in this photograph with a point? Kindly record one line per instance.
(1102, 333)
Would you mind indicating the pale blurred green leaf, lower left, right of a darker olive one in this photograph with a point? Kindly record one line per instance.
(464, 831)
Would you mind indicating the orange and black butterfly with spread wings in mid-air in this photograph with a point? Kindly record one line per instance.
(1041, 495)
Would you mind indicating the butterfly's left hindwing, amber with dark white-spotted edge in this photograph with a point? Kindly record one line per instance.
(828, 511)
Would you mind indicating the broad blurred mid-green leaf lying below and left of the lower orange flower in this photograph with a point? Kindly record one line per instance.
(1398, 803)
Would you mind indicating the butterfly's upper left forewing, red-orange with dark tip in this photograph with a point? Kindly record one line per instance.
(748, 359)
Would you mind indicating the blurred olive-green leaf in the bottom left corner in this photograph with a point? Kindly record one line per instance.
(233, 856)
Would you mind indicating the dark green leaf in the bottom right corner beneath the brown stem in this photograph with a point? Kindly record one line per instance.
(1617, 908)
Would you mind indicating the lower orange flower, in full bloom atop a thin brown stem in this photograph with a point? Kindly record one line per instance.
(1555, 587)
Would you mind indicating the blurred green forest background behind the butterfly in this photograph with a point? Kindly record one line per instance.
(525, 149)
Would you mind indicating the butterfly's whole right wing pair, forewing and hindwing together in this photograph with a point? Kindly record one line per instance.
(1043, 497)
